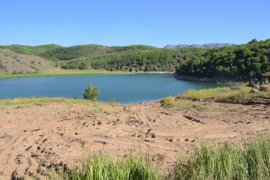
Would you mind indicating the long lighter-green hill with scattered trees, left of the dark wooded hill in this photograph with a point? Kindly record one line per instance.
(125, 58)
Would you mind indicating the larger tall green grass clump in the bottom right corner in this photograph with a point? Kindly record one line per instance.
(249, 161)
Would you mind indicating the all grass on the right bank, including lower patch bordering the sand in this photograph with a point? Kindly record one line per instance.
(237, 94)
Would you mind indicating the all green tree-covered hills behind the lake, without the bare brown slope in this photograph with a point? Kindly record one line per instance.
(233, 62)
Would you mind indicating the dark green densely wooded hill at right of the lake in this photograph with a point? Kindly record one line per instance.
(236, 62)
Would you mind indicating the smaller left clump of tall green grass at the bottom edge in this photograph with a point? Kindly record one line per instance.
(103, 168)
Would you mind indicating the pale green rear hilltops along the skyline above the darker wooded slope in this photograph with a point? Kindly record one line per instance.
(55, 52)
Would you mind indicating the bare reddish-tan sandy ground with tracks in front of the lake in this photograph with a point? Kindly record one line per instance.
(37, 139)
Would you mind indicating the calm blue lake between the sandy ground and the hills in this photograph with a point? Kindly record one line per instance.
(125, 89)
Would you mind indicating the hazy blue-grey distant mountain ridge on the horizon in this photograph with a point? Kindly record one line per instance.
(210, 45)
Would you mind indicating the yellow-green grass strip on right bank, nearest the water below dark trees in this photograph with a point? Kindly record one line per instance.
(224, 93)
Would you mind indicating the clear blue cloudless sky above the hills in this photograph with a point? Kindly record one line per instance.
(129, 22)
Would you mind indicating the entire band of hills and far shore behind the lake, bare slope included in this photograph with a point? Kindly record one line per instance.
(237, 62)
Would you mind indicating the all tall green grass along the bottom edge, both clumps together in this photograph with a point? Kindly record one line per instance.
(240, 162)
